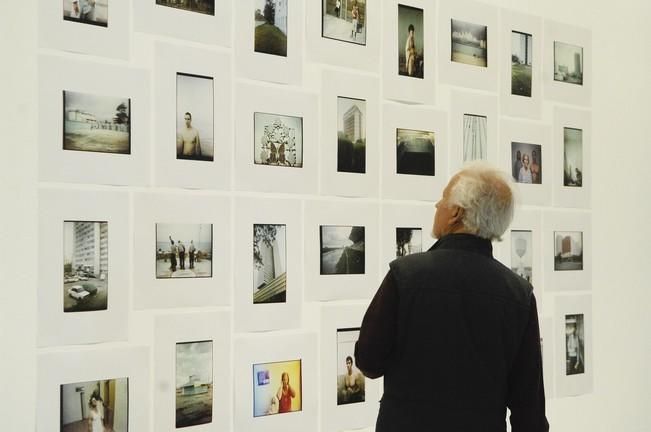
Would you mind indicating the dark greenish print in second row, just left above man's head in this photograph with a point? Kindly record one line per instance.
(415, 152)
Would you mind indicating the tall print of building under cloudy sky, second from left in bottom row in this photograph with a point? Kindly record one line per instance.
(194, 380)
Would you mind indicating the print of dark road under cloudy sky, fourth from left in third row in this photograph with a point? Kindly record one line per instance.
(342, 249)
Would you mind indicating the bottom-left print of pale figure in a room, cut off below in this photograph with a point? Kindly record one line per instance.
(95, 406)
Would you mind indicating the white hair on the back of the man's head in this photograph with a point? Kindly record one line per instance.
(488, 198)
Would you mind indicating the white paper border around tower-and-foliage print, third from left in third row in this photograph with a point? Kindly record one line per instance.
(267, 316)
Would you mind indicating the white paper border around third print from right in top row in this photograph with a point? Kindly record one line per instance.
(483, 78)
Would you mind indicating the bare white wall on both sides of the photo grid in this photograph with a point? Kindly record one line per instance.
(621, 205)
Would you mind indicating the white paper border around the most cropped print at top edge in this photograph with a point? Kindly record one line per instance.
(110, 41)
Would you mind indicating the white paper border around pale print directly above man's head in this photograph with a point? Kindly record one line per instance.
(475, 104)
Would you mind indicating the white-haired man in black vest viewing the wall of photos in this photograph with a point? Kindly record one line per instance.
(453, 331)
